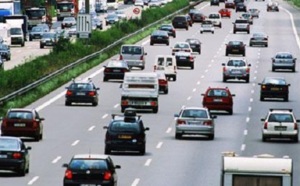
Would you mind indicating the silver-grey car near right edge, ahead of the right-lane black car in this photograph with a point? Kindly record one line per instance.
(284, 60)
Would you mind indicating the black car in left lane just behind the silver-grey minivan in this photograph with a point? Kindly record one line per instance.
(115, 69)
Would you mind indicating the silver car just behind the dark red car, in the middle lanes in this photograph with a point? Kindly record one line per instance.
(194, 120)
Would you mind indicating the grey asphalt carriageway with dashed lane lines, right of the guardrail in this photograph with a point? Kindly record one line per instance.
(192, 161)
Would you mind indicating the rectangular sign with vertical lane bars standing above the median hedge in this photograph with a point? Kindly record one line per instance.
(84, 25)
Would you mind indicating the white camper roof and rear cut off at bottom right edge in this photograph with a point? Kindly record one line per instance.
(260, 170)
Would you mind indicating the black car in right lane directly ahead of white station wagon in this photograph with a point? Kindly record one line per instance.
(274, 87)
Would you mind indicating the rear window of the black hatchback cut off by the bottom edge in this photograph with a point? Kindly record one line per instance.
(84, 164)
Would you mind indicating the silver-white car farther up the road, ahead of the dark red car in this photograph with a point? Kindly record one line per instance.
(236, 69)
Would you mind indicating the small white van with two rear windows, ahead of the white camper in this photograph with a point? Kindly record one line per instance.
(167, 64)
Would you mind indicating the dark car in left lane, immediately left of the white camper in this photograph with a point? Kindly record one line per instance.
(82, 92)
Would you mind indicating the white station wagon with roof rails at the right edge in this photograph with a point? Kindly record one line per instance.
(280, 123)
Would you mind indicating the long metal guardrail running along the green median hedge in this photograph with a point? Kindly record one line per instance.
(86, 58)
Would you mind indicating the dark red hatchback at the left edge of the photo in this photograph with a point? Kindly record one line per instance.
(22, 123)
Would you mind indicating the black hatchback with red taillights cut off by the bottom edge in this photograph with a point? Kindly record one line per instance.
(90, 169)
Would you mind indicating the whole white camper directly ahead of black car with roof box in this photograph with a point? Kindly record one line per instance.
(140, 91)
